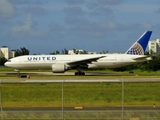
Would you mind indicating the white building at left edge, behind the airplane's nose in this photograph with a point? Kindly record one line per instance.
(5, 52)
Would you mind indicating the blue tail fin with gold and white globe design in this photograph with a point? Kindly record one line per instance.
(139, 47)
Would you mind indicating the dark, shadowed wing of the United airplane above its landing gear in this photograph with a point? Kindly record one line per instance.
(84, 61)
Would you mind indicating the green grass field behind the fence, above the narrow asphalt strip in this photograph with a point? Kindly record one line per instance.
(79, 94)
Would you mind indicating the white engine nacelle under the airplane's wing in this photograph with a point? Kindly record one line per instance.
(59, 68)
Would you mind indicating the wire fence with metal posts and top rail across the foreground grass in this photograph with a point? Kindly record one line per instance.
(113, 99)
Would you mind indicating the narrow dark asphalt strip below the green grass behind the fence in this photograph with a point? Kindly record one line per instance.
(133, 108)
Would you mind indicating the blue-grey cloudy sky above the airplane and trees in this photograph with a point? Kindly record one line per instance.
(44, 26)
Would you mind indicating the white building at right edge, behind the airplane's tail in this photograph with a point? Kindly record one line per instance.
(154, 47)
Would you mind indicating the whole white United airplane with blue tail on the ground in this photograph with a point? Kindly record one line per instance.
(62, 63)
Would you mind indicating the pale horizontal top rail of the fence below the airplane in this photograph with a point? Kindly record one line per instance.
(80, 80)
